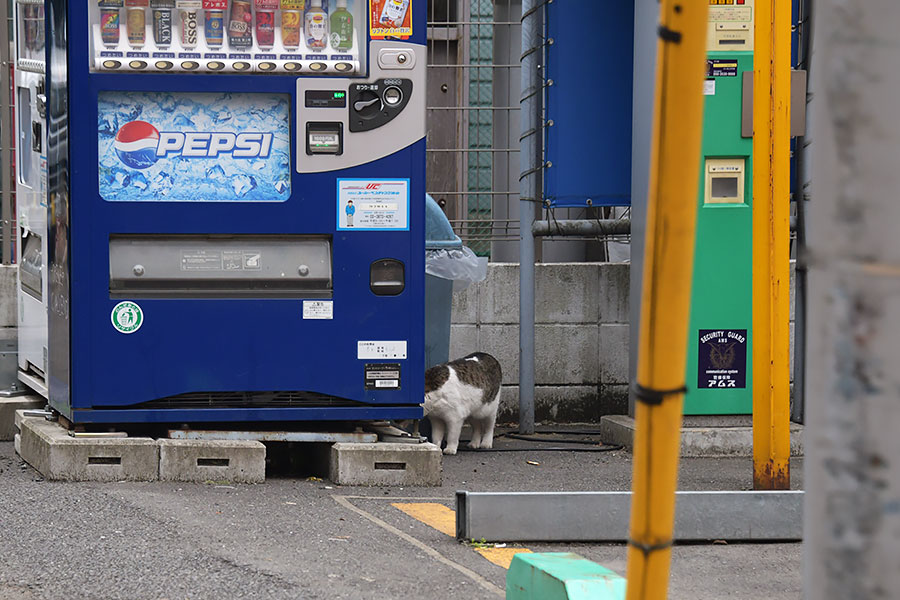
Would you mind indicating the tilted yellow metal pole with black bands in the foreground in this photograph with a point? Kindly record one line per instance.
(665, 302)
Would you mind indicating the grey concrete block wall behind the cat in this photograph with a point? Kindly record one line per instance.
(581, 332)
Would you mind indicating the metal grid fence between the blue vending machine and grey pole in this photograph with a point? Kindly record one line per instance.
(472, 116)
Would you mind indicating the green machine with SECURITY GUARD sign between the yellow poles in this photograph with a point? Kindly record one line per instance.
(719, 361)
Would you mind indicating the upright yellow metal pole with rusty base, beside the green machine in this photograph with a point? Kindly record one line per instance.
(771, 239)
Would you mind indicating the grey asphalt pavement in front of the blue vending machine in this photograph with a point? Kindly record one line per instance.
(300, 536)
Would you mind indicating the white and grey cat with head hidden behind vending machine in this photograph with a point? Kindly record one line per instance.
(464, 389)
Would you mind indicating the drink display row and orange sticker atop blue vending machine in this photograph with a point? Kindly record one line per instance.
(251, 36)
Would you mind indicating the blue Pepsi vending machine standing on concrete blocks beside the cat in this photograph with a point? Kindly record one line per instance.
(235, 197)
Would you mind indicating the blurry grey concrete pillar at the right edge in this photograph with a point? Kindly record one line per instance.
(852, 514)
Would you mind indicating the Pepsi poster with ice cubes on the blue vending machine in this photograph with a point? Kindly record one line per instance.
(194, 147)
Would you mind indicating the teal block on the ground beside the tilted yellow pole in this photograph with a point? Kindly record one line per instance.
(561, 576)
